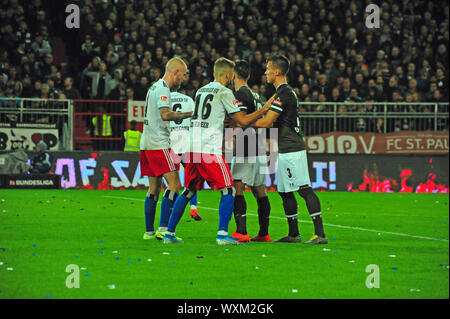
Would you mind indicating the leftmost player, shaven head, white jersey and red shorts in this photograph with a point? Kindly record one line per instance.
(156, 157)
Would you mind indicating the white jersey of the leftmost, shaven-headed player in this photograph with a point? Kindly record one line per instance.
(155, 135)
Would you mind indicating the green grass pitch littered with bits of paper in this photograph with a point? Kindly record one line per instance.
(42, 231)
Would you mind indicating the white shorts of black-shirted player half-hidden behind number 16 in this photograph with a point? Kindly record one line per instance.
(252, 172)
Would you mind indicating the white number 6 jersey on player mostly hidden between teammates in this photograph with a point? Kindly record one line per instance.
(179, 130)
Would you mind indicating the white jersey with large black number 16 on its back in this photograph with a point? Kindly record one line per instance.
(212, 102)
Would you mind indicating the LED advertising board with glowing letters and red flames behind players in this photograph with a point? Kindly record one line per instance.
(422, 173)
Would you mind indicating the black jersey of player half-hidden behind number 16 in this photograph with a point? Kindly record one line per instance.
(249, 102)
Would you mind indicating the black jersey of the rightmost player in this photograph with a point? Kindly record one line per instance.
(288, 122)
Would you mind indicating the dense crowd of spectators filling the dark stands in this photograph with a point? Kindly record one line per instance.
(122, 48)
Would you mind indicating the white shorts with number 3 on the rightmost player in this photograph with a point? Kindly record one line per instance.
(292, 171)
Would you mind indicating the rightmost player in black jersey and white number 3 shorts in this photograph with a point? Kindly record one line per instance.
(292, 170)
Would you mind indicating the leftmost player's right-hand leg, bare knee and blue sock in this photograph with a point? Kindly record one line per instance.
(169, 197)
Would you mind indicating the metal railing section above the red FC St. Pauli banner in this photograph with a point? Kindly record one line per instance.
(375, 117)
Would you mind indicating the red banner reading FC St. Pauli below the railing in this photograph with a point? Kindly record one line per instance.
(427, 142)
